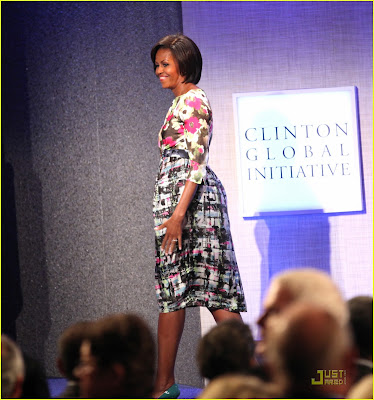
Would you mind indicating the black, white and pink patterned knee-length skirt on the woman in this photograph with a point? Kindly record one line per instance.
(205, 271)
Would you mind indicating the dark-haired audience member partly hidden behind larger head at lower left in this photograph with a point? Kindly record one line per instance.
(69, 345)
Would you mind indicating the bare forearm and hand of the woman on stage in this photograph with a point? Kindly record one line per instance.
(174, 224)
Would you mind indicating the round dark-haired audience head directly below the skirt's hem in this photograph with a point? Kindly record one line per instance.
(226, 348)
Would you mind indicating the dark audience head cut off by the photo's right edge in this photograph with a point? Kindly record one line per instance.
(361, 321)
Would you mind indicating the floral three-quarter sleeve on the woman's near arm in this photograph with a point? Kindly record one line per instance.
(196, 115)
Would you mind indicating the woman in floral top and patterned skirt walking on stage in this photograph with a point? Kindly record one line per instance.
(195, 260)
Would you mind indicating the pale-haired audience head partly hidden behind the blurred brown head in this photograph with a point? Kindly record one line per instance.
(305, 285)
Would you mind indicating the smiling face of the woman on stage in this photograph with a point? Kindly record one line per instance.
(167, 70)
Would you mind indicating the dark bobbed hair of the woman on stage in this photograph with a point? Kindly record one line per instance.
(186, 53)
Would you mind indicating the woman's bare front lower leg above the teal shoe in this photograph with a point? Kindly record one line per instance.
(170, 329)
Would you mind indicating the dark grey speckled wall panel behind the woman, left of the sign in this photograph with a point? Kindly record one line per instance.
(80, 131)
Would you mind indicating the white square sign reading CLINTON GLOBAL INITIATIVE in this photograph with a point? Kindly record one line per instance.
(298, 151)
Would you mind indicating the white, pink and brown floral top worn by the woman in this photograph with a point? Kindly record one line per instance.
(188, 126)
